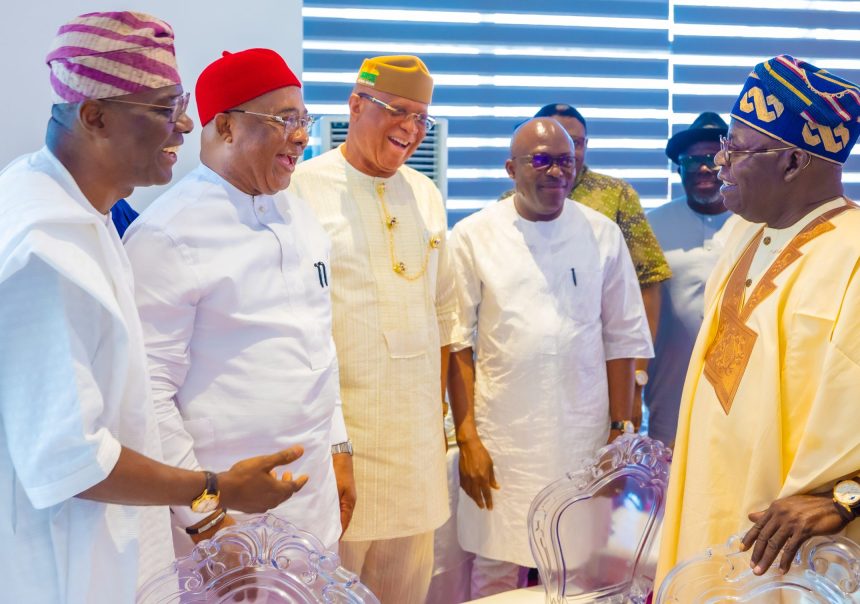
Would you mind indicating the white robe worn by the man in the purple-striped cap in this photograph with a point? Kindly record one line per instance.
(73, 390)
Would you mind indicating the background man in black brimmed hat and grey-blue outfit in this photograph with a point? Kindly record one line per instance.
(688, 231)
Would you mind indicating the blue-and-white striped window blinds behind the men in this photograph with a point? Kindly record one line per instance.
(637, 70)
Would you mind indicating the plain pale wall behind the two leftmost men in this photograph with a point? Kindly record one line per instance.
(203, 30)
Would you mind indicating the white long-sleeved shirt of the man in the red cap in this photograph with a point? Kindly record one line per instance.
(233, 293)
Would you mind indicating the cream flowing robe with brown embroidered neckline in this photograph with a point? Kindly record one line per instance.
(791, 425)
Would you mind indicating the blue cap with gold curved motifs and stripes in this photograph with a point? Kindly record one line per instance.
(800, 104)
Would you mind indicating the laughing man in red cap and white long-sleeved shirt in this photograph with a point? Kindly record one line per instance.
(232, 284)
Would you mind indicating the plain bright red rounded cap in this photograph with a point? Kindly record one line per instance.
(237, 78)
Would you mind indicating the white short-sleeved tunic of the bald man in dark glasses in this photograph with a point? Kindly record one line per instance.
(544, 305)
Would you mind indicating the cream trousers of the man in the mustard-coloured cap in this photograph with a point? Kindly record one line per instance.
(398, 570)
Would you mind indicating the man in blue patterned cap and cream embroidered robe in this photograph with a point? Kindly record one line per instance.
(767, 444)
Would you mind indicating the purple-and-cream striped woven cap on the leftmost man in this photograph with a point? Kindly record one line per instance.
(102, 55)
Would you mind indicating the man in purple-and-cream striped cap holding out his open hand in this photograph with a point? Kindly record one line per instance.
(79, 444)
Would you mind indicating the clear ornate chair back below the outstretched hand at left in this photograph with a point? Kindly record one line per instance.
(265, 559)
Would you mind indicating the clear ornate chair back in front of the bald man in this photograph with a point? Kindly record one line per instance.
(592, 531)
